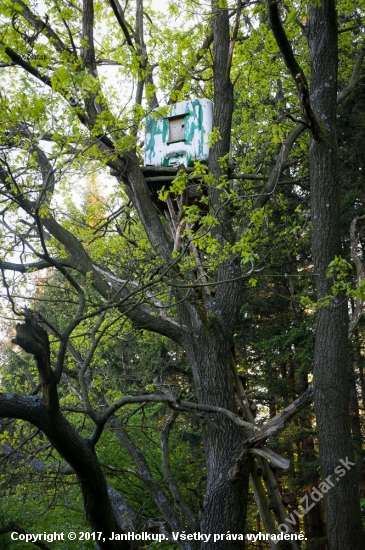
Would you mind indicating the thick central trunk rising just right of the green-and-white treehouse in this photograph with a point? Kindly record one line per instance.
(209, 345)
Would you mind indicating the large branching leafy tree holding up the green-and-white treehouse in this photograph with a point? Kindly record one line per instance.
(183, 279)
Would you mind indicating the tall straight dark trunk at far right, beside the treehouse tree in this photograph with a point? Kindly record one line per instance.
(330, 362)
